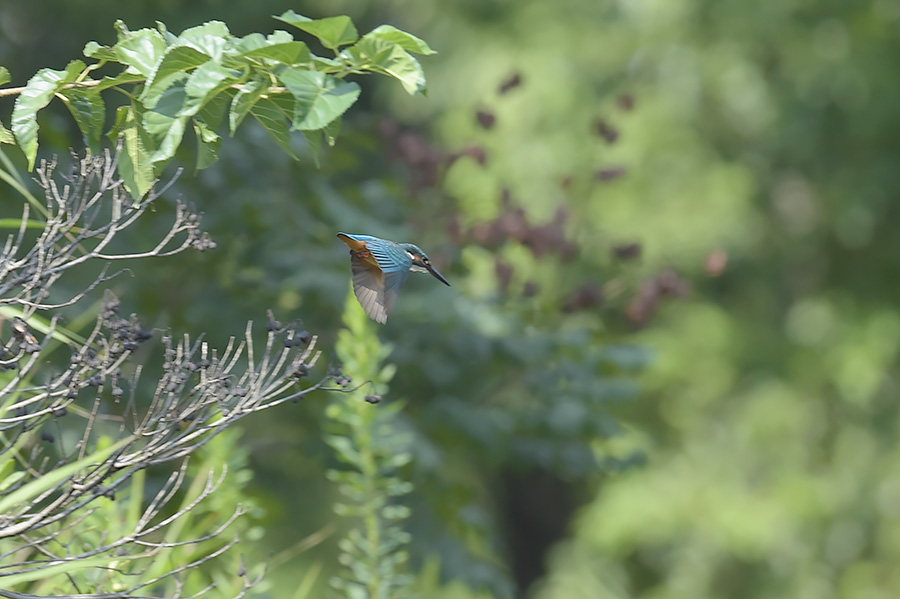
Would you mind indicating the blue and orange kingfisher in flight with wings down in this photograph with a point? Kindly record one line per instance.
(379, 268)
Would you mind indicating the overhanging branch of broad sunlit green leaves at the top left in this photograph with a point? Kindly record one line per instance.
(170, 84)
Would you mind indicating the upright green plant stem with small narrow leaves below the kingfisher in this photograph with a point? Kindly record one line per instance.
(369, 442)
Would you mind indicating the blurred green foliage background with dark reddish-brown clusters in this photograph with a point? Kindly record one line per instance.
(666, 367)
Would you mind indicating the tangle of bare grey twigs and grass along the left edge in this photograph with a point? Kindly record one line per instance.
(58, 490)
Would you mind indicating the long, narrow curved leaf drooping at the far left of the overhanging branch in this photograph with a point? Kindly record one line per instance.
(37, 94)
